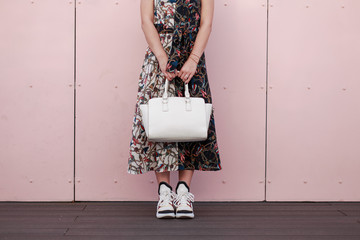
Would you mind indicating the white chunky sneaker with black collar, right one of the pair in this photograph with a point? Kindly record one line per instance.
(184, 201)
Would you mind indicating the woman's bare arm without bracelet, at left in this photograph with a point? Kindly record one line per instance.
(152, 36)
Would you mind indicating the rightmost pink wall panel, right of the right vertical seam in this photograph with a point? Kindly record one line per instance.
(314, 105)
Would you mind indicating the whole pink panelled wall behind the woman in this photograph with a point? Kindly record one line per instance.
(302, 135)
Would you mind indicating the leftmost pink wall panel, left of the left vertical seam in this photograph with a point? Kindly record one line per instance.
(36, 100)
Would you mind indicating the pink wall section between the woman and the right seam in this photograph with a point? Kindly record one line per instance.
(236, 62)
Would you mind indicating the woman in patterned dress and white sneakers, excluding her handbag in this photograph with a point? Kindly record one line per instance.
(177, 32)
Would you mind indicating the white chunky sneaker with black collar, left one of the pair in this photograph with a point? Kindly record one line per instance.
(165, 206)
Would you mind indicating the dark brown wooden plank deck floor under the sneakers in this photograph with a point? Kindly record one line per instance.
(213, 220)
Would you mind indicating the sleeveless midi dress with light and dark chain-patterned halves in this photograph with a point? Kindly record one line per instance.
(177, 22)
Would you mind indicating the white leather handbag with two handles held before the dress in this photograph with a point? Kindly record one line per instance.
(176, 119)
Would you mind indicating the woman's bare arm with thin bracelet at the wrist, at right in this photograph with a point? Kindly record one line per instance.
(190, 66)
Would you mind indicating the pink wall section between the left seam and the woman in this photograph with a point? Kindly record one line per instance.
(110, 48)
